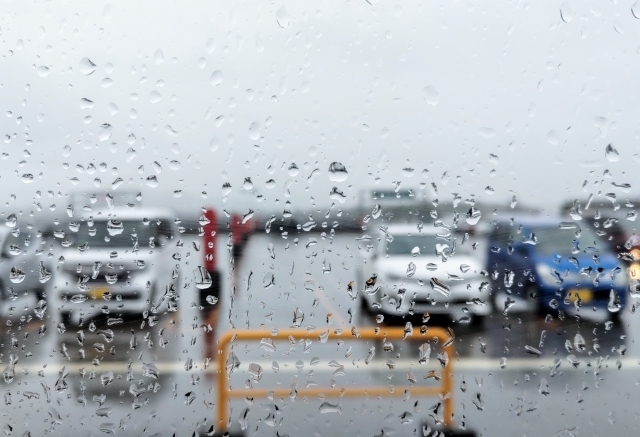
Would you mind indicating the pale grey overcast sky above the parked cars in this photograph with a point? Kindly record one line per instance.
(216, 92)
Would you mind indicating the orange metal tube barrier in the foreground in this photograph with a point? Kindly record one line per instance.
(359, 334)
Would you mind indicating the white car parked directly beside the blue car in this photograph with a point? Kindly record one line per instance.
(430, 271)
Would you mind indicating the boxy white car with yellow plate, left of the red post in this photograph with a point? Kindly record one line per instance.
(116, 264)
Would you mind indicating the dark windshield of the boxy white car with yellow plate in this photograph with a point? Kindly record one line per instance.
(118, 233)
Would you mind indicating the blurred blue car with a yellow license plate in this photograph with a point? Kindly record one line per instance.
(541, 265)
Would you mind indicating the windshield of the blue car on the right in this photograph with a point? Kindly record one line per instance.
(554, 240)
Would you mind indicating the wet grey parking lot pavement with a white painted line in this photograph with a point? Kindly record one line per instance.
(280, 283)
